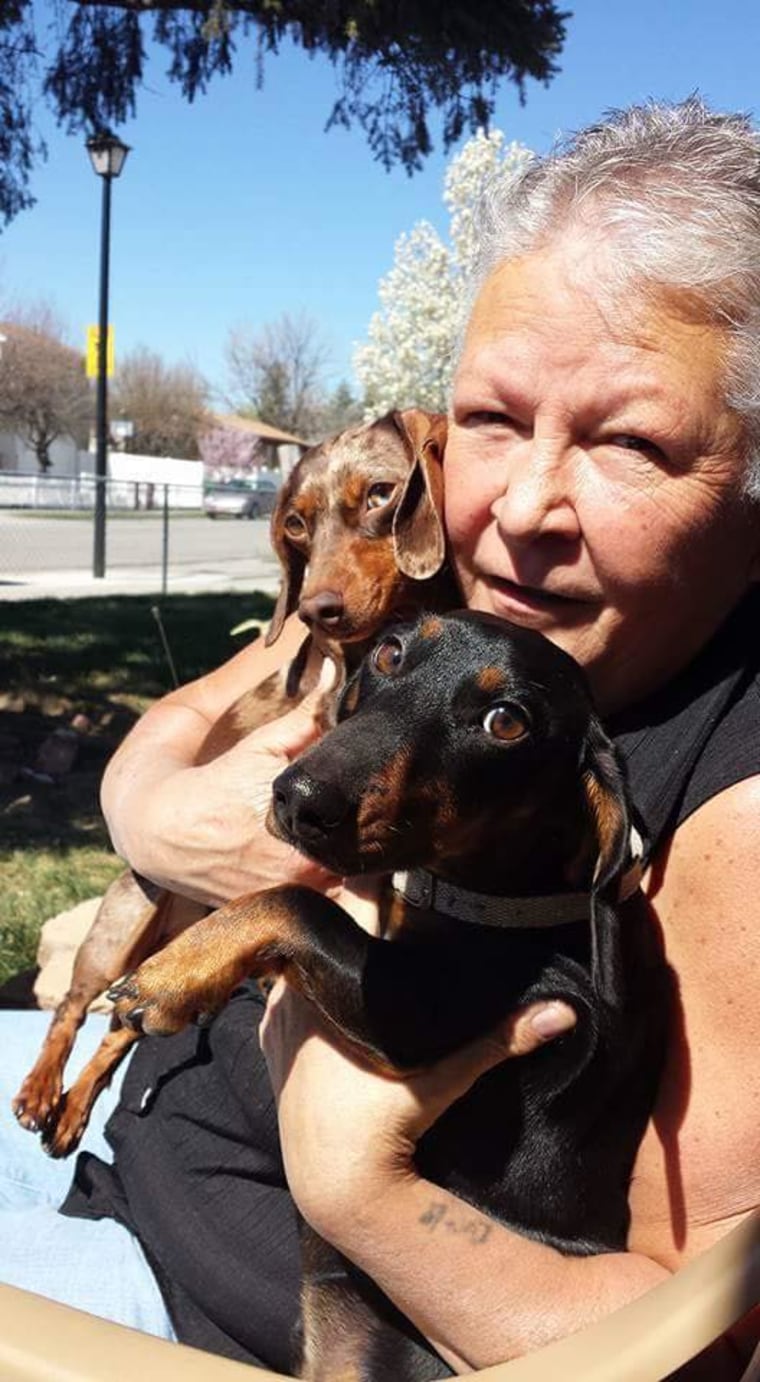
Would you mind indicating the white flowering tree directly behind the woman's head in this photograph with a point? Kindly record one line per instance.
(408, 359)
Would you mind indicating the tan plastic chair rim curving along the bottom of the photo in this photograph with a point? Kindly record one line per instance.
(42, 1341)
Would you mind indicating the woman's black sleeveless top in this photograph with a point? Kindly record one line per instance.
(198, 1174)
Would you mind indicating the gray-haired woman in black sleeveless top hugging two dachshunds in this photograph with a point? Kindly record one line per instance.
(602, 487)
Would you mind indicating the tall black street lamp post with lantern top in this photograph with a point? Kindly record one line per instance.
(107, 155)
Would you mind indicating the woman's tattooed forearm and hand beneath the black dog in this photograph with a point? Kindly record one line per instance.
(479, 1291)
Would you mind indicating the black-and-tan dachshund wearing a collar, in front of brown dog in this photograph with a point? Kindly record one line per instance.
(468, 765)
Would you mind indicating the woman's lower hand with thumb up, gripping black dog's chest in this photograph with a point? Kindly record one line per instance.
(349, 1135)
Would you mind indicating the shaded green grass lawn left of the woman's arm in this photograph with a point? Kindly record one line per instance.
(102, 660)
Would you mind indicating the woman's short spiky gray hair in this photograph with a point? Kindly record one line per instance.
(676, 190)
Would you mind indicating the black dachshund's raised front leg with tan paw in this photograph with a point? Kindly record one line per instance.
(370, 992)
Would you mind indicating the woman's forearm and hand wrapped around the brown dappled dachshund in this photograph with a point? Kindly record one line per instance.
(201, 831)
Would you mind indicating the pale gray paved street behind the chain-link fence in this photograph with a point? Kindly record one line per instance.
(55, 555)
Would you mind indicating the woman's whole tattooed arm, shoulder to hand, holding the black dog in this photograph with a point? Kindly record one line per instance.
(479, 1291)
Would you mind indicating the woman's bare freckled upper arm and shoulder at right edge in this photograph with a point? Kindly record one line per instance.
(699, 1167)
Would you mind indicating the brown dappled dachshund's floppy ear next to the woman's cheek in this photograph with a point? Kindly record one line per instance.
(418, 531)
